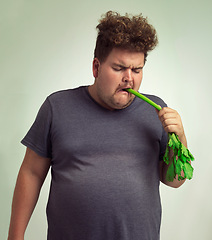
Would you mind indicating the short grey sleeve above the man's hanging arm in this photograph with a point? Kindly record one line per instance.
(38, 137)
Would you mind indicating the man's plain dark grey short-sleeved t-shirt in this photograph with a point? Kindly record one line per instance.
(104, 165)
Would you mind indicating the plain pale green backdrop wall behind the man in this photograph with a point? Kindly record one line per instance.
(48, 45)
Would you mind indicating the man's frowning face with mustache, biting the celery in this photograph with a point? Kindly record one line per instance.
(122, 69)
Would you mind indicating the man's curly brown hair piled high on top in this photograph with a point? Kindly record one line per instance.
(131, 33)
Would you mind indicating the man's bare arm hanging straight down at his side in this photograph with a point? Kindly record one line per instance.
(31, 176)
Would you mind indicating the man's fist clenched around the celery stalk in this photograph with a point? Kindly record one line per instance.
(172, 122)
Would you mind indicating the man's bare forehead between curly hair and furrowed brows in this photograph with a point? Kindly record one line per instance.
(125, 57)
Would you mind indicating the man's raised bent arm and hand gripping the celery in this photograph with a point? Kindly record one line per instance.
(171, 122)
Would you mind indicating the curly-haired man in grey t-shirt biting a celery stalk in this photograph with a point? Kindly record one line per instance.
(104, 147)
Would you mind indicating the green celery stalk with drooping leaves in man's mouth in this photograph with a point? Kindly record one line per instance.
(180, 162)
